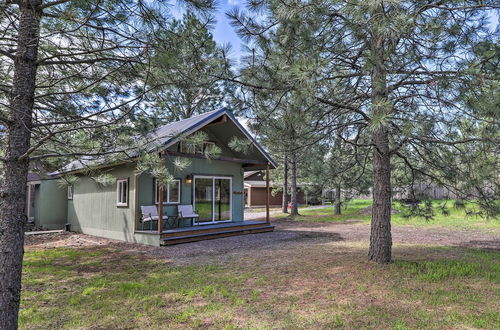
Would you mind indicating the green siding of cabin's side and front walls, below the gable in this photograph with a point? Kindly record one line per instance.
(93, 209)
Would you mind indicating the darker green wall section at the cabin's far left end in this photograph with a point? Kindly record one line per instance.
(50, 205)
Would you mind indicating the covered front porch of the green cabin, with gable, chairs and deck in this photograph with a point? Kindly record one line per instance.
(211, 187)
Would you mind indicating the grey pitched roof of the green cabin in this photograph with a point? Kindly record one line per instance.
(167, 135)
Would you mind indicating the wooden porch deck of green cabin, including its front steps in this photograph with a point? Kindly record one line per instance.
(211, 231)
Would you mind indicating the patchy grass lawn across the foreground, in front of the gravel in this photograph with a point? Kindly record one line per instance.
(313, 285)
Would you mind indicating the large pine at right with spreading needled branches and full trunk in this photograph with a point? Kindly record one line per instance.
(395, 72)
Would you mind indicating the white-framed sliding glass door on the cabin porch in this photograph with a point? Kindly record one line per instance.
(212, 199)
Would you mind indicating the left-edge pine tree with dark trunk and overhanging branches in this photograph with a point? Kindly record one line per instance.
(73, 73)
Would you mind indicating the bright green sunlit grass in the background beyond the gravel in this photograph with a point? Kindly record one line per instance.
(456, 218)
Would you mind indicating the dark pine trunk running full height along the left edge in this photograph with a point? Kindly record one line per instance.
(13, 186)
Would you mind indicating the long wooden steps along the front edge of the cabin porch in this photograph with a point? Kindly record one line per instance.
(187, 236)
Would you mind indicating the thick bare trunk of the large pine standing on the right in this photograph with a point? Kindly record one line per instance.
(380, 238)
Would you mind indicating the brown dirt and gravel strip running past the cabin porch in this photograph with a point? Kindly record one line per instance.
(288, 234)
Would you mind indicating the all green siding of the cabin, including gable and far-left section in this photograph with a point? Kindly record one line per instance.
(93, 209)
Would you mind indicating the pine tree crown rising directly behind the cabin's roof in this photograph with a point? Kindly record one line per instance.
(186, 64)
